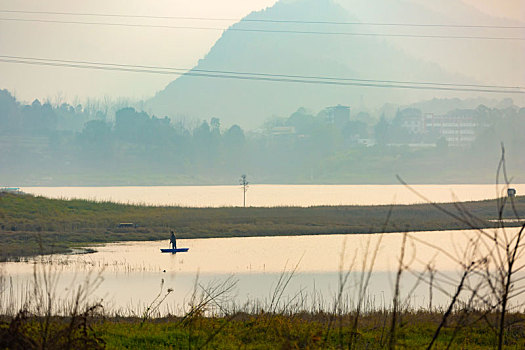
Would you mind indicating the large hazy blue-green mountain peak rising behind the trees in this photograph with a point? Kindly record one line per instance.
(248, 102)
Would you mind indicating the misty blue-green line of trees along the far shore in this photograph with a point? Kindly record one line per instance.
(53, 144)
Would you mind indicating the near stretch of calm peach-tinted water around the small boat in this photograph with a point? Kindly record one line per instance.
(132, 273)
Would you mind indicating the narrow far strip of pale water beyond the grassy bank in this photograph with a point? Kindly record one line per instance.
(277, 195)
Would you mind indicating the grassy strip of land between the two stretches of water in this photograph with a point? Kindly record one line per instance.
(32, 225)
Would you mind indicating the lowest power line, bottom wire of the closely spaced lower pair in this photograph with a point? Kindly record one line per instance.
(258, 78)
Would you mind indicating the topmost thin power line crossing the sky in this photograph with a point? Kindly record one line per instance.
(436, 25)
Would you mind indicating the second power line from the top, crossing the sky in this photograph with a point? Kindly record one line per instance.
(424, 36)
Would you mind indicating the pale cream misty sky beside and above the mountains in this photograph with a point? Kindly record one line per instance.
(142, 46)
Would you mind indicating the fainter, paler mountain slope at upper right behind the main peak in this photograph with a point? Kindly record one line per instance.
(495, 62)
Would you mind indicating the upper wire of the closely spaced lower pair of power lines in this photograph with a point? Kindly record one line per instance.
(185, 70)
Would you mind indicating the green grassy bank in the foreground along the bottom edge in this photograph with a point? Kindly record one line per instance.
(268, 331)
